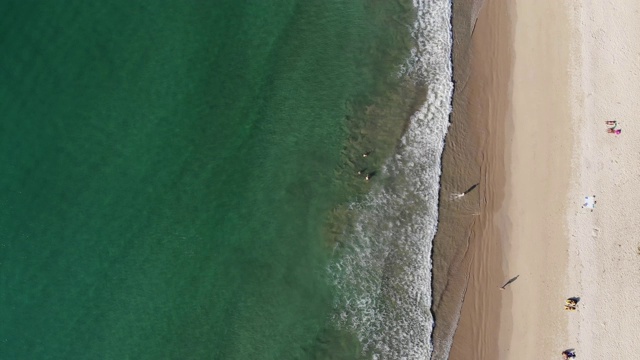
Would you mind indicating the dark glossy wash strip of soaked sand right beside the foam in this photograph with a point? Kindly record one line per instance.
(460, 171)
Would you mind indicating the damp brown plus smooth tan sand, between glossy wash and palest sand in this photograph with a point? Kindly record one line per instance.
(518, 52)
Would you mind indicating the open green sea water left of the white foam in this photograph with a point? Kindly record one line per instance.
(166, 172)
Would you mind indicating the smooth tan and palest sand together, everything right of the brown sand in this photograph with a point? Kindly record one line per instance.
(576, 66)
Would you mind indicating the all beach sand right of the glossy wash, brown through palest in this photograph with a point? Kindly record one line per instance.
(571, 66)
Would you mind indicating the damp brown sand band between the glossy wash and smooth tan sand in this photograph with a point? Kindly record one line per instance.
(489, 109)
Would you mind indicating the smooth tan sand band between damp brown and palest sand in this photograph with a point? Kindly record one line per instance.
(539, 152)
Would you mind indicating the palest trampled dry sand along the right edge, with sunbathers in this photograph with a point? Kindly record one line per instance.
(604, 260)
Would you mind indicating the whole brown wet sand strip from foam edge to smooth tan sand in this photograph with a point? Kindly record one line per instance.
(468, 248)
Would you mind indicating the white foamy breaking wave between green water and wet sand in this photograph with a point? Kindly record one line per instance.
(384, 271)
